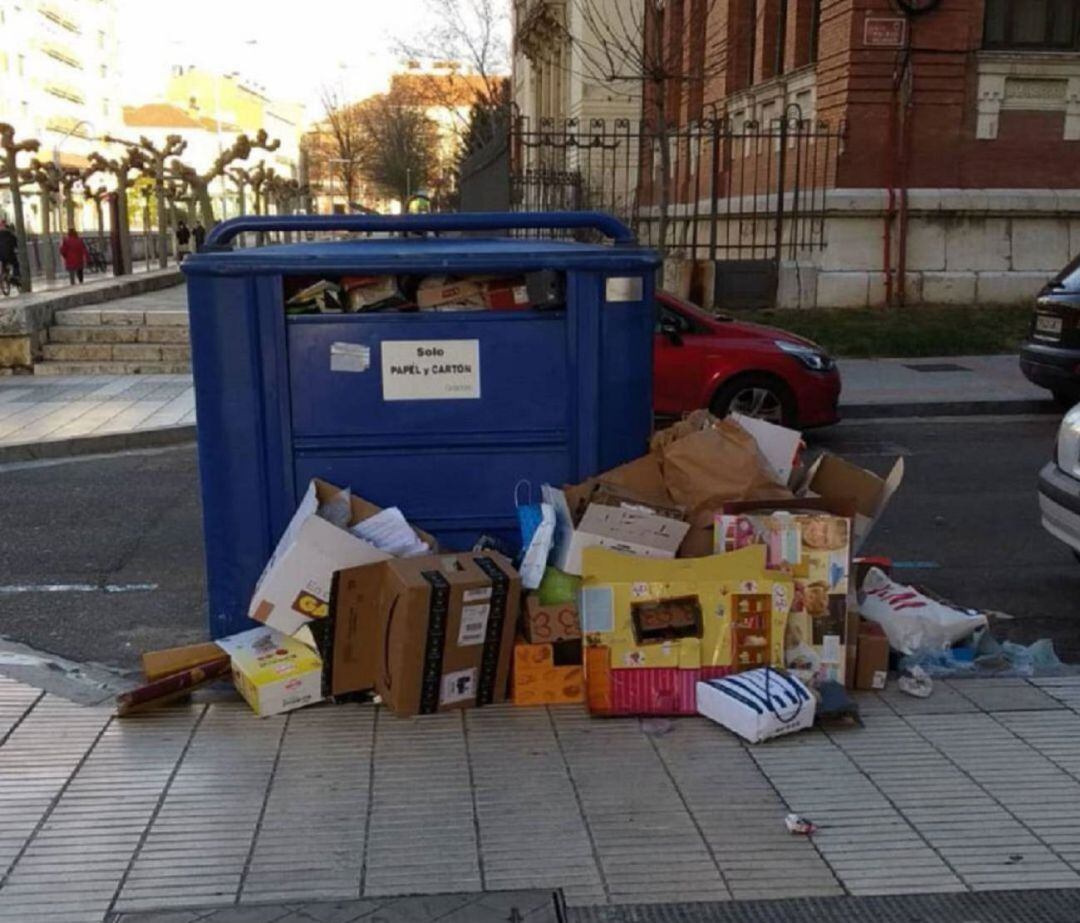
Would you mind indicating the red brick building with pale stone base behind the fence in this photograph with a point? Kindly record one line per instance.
(958, 175)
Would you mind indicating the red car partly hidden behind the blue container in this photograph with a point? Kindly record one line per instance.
(701, 360)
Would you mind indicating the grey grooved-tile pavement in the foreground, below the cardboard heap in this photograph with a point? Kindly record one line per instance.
(977, 789)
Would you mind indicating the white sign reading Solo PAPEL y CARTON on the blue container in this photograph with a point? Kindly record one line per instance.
(430, 370)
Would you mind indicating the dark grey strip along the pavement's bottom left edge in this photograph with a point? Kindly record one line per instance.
(491, 907)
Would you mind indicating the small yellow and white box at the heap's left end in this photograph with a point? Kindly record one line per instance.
(274, 672)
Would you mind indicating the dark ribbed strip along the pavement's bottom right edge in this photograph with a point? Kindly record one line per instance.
(984, 907)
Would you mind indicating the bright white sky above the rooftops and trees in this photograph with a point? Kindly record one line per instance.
(349, 44)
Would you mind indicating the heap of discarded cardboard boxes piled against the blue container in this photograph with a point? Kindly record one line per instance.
(714, 575)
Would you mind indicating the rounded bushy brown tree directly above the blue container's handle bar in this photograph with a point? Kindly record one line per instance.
(400, 146)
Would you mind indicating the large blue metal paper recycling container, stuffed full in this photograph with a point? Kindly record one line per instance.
(441, 414)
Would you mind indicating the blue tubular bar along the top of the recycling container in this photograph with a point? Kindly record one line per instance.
(619, 234)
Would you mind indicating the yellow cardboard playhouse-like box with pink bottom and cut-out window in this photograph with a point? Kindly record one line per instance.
(655, 628)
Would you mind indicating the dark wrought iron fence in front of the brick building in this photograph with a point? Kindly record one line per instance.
(727, 189)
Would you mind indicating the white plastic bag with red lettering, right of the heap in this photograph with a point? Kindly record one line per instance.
(914, 622)
